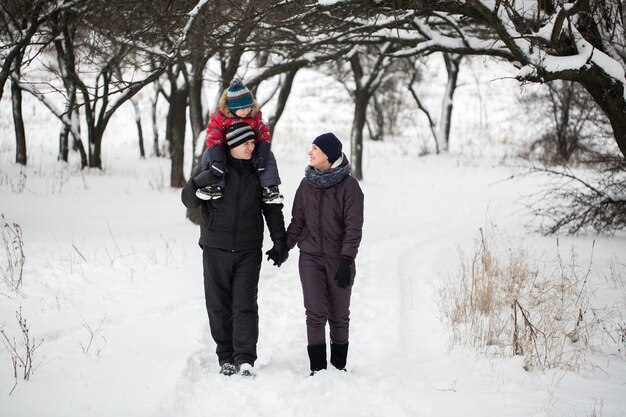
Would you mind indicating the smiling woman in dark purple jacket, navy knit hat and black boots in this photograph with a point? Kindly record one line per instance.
(326, 223)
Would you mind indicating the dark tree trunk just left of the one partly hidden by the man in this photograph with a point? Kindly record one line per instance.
(177, 121)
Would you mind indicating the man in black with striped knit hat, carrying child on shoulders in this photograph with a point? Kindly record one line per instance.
(231, 237)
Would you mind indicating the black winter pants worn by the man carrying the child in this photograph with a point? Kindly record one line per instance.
(231, 282)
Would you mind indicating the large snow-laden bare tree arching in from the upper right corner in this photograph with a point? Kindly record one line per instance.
(581, 41)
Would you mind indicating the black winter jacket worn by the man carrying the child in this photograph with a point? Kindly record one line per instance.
(235, 221)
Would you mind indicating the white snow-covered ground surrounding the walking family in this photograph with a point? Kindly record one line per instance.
(113, 284)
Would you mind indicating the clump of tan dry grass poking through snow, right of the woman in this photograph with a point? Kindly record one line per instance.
(503, 302)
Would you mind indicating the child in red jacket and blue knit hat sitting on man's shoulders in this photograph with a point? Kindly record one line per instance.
(237, 105)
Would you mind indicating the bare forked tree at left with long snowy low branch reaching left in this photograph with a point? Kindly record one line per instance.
(101, 65)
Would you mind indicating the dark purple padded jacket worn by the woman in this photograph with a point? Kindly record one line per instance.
(327, 221)
